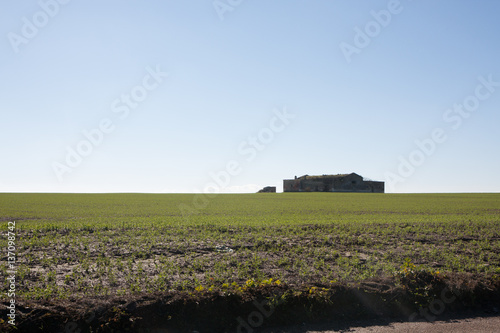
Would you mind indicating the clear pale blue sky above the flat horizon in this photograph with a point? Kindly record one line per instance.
(256, 92)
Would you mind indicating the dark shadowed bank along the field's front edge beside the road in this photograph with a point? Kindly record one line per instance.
(418, 297)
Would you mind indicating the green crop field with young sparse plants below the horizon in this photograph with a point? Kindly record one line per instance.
(71, 247)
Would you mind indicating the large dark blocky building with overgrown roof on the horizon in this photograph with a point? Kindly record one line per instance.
(332, 183)
